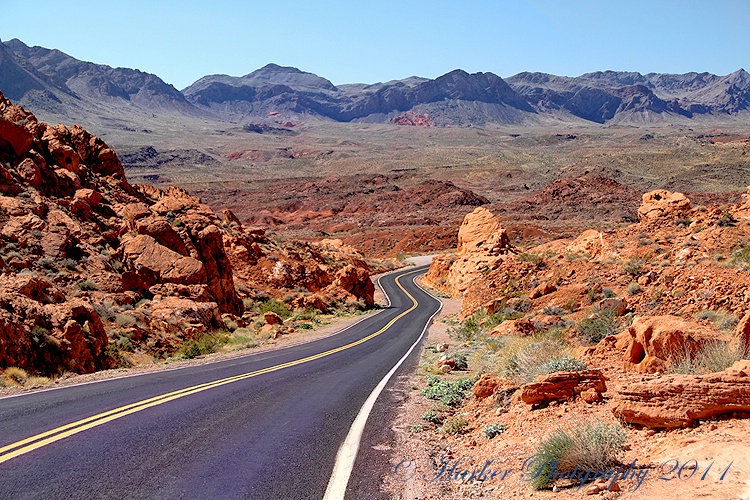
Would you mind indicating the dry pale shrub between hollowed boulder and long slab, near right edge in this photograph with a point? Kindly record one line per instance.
(712, 357)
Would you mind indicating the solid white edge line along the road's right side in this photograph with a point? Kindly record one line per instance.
(347, 454)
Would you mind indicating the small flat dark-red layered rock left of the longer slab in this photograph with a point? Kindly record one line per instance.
(563, 386)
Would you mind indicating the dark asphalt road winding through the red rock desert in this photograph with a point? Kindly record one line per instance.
(265, 426)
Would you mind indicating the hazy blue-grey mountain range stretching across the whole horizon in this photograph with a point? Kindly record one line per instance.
(61, 86)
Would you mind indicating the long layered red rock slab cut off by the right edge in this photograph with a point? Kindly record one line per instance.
(679, 400)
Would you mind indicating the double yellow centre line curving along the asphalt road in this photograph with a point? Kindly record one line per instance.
(32, 443)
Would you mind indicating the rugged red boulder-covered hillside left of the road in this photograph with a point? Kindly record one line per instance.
(90, 263)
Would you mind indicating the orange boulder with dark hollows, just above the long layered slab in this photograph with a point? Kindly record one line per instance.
(655, 341)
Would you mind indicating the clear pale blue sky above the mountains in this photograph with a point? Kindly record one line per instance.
(378, 40)
